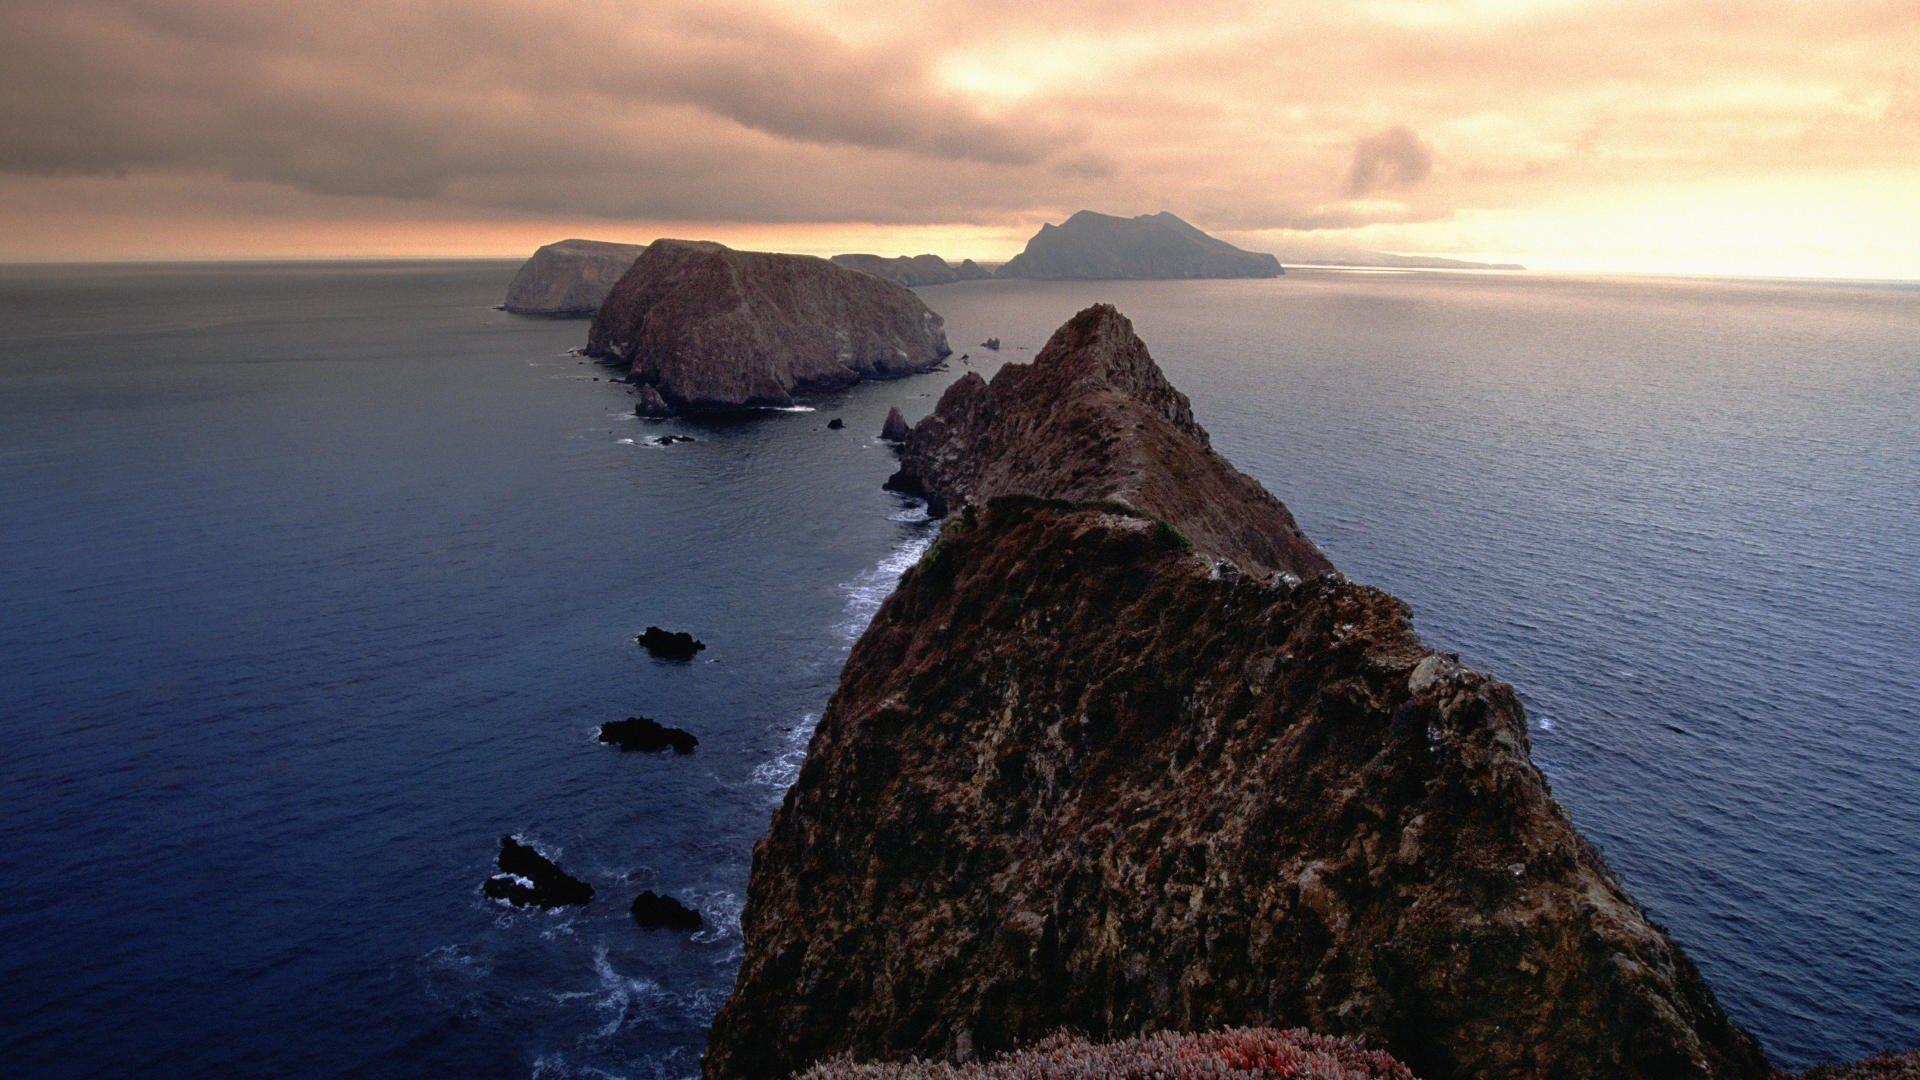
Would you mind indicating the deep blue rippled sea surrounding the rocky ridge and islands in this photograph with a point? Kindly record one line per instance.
(318, 579)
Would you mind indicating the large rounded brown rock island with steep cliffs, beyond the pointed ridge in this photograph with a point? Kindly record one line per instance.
(713, 330)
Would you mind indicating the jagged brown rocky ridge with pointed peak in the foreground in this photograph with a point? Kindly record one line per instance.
(1101, 766)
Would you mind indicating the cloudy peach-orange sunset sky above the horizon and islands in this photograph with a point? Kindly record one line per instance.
(1754, 137)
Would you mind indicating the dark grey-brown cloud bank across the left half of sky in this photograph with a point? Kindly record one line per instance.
(508, 99)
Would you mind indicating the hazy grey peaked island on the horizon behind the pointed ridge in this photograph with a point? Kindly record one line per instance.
(1099, 247)
